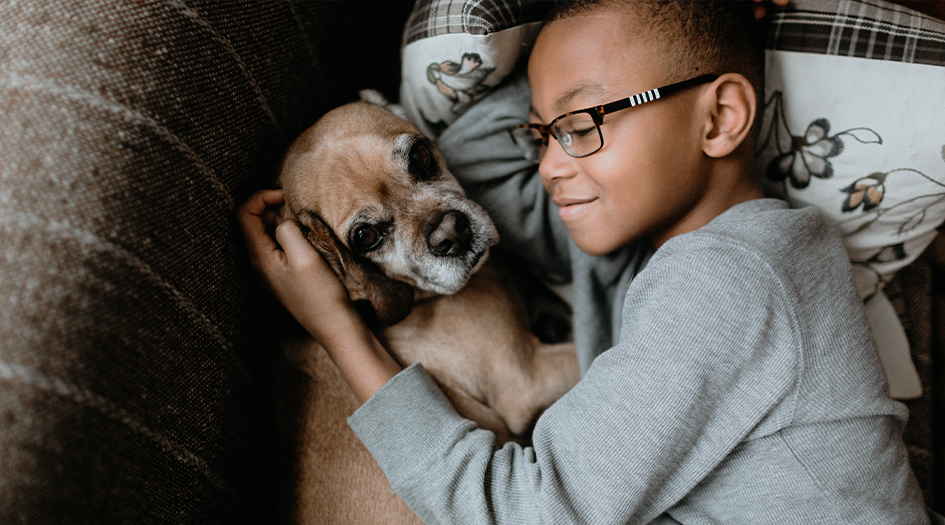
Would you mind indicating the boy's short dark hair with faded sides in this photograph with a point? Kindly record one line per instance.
(705, 36)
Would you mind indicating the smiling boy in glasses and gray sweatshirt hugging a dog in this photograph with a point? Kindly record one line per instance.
(729, 376)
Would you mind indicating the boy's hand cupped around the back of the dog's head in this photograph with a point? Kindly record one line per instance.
(294, 271)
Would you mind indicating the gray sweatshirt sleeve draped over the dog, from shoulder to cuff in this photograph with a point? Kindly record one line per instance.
(706, 358)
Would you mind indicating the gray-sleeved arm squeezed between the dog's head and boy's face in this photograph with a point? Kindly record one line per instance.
(481, 154)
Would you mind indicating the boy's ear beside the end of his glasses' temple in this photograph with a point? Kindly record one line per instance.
(733, 106)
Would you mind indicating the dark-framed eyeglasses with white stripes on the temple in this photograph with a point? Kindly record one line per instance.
(578, 132)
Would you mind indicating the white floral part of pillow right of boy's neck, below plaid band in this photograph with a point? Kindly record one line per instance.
(864, 141)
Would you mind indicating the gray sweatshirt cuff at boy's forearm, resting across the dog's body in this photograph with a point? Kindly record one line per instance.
(405, 420)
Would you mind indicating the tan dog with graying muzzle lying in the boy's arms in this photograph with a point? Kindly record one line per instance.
(374, 197)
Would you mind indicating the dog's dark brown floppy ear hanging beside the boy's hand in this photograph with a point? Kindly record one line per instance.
(391, 300)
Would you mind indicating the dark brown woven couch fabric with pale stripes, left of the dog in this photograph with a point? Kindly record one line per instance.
(133, 374)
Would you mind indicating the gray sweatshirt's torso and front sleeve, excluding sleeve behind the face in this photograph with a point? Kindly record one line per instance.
(745, 388)
